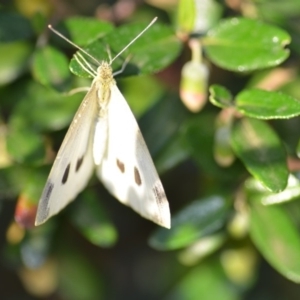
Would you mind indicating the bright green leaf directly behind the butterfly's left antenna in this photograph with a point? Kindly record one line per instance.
(83, 30)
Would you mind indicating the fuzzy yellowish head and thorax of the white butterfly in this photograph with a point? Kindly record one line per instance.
(104, 80)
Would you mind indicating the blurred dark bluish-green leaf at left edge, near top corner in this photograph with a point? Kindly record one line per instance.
(14, 27)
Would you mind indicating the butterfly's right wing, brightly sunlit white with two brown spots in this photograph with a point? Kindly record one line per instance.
(127, 169)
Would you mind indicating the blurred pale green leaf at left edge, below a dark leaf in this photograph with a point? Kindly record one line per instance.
(13, 60)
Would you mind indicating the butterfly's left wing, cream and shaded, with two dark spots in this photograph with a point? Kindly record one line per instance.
(74, 162)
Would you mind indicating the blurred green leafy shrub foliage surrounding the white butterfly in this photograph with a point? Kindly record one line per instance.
(230, 171)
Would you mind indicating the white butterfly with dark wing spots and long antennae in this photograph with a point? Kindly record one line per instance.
(105, 135)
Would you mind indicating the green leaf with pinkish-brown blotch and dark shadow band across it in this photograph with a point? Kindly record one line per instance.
(260, 149)
